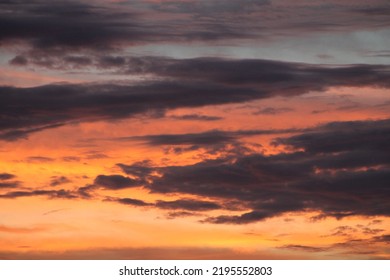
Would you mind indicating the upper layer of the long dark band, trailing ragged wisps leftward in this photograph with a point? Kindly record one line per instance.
(267, 75)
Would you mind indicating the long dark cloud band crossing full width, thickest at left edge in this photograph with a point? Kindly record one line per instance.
(194, 83)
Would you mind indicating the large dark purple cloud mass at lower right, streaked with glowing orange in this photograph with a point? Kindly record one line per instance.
(342, 169)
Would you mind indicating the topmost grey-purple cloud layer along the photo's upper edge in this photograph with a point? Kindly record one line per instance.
(96, 25)
